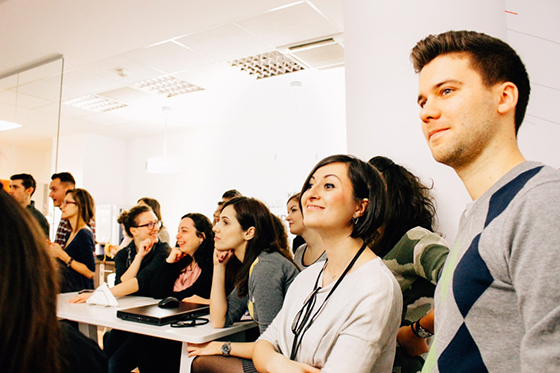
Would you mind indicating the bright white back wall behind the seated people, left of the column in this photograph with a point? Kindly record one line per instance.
(262, 141)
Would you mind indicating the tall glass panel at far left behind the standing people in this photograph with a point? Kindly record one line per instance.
(29, 126)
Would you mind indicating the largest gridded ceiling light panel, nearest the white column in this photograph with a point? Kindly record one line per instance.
(266, 65)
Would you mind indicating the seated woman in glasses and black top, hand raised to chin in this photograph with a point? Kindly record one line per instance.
(137, 264)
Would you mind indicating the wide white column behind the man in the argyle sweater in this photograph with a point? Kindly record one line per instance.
(381, 86)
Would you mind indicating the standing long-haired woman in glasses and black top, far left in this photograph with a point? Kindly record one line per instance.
(77, 262)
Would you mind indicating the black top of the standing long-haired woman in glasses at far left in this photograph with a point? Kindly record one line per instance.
(81, 249)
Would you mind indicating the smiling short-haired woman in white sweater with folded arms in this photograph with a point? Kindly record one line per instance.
(341, 315)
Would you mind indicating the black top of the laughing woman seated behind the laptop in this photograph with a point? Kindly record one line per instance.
(164, 280)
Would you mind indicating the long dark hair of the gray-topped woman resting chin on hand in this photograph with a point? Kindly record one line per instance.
(269, 236)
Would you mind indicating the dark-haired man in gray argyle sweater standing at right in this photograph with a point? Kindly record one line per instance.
(498, 301)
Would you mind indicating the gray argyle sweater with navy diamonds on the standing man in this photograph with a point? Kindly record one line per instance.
(498, 300)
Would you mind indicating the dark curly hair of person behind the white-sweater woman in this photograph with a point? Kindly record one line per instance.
(410, 204)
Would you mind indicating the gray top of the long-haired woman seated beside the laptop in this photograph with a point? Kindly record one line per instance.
(269, 278)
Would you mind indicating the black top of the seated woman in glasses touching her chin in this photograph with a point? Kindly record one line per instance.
(148, 268)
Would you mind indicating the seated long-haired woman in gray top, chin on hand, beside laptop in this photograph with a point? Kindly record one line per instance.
(247, 233)
